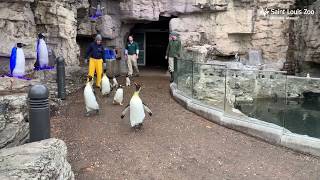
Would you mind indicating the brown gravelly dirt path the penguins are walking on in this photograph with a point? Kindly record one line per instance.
(173, 144)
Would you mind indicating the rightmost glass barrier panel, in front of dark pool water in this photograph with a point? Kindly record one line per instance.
(303, 106)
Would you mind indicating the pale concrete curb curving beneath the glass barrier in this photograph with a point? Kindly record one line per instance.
(269, 132)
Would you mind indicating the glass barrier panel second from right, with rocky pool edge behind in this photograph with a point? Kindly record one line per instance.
(256, 96)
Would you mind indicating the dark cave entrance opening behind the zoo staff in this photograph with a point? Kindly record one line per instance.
(152, 38)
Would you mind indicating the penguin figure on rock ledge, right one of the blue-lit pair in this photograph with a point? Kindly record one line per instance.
(42, 53)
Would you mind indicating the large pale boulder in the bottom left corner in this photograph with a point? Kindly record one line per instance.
(39, 160)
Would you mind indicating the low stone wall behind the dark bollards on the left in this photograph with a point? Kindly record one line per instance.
(14, 125)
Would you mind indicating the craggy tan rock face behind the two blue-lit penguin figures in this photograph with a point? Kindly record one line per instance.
(21, 21)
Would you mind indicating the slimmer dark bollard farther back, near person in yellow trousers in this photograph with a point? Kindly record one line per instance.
(61, 78)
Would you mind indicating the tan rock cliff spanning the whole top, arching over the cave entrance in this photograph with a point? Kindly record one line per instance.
(229, 26)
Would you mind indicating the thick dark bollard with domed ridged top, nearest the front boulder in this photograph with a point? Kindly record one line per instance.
(39, 113)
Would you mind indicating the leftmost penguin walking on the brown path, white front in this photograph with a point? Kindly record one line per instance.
(90, 99)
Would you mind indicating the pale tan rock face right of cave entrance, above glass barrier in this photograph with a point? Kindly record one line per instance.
(238, 30)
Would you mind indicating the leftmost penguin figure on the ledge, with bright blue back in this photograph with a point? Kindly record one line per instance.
(17, 61)
